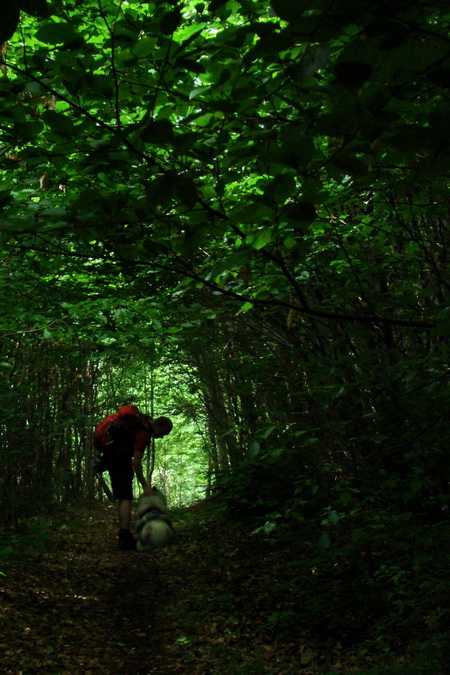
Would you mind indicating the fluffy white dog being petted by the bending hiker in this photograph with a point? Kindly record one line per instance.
(153, 527)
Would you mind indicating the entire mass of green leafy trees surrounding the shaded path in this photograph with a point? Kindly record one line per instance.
(252, 198)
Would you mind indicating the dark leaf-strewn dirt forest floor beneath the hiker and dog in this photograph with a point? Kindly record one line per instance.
(215, 603)
